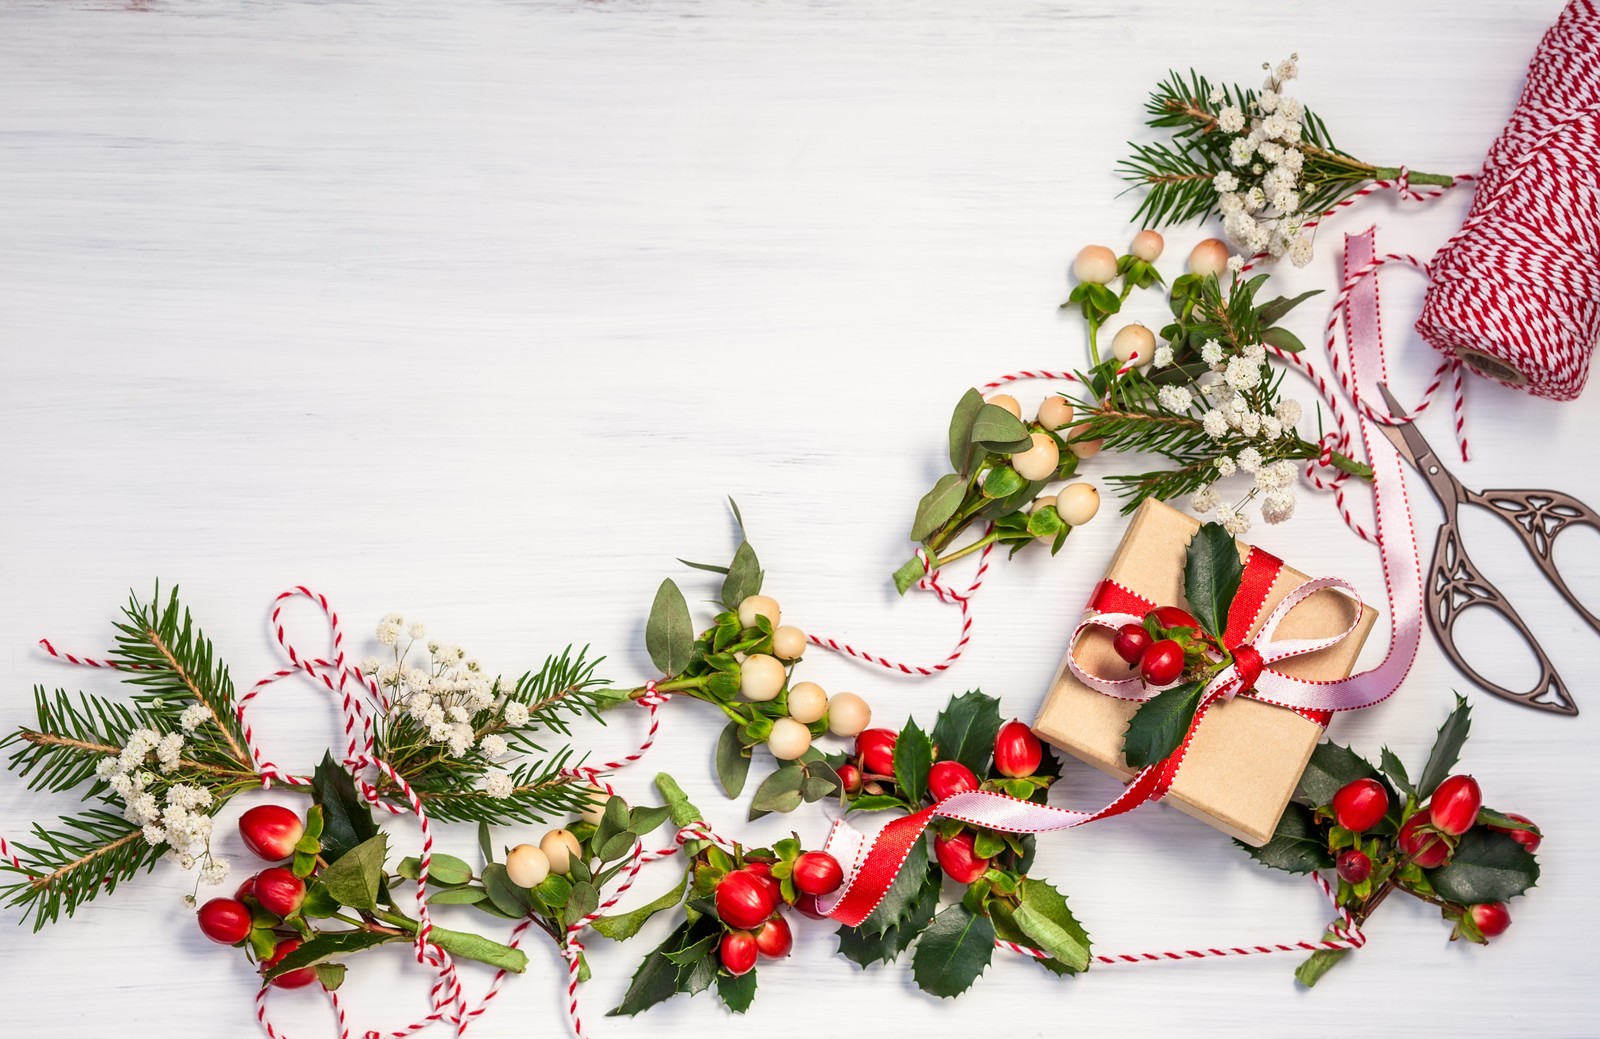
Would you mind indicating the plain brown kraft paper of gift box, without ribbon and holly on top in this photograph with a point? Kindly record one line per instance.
(1247, 756)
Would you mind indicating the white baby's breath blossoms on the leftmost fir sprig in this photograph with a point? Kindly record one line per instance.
(178, 822)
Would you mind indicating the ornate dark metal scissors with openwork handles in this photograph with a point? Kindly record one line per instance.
(1455, 585)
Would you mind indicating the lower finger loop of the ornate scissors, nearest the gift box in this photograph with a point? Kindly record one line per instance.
(1454, 588)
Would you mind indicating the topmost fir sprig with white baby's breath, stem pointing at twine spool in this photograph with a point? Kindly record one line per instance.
(1260, 158)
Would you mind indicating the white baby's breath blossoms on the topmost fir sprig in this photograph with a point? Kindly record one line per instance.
(1260, 203)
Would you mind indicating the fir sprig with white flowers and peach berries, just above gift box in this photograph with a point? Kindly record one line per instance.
(1209, 398)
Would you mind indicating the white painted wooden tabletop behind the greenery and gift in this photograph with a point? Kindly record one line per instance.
(476, 311)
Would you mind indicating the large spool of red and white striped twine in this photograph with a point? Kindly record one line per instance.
(1516, 294)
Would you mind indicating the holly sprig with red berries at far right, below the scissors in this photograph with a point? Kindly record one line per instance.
(1383, 833)
